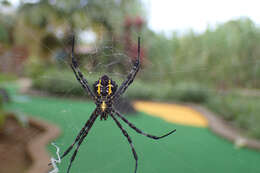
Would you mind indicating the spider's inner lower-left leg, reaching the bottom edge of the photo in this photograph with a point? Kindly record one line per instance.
(85, 133)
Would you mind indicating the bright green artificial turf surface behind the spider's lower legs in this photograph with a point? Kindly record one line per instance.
(105, 150)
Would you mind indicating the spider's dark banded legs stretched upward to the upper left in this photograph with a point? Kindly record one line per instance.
(75, 67)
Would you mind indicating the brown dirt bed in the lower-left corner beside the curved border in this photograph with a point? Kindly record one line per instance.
(13, 146)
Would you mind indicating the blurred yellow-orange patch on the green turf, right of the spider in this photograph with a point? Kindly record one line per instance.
(173, 113)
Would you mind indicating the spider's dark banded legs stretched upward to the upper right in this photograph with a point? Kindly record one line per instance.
(130, 77)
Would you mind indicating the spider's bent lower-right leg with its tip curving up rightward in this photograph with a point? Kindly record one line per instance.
(138, 130)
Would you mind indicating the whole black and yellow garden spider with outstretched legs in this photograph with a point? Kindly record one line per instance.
(105, 94)
